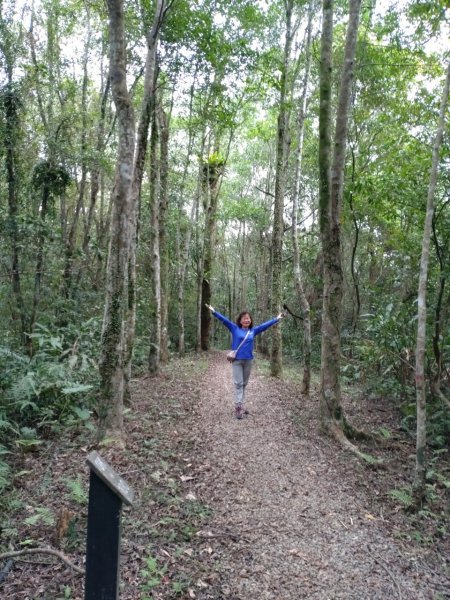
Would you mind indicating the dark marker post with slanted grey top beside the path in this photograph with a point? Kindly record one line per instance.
(107, 491)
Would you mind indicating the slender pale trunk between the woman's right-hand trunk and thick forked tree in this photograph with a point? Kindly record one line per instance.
(298, 278)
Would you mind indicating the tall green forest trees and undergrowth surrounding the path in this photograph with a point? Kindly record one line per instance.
(160, 156)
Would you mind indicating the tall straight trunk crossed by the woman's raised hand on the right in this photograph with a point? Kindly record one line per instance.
(283, 143)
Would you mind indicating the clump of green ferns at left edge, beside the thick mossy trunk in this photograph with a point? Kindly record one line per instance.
(50, 389)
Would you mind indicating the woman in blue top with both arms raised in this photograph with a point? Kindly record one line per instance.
(243, 335)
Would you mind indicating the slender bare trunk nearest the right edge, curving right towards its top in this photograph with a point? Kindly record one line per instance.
(421, 439)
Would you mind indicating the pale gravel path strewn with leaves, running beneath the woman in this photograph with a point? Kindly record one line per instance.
(292, 517)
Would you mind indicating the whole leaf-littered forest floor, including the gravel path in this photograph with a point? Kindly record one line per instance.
(260, 508)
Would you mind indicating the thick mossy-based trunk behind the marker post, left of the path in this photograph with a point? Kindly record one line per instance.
(111, 363)
